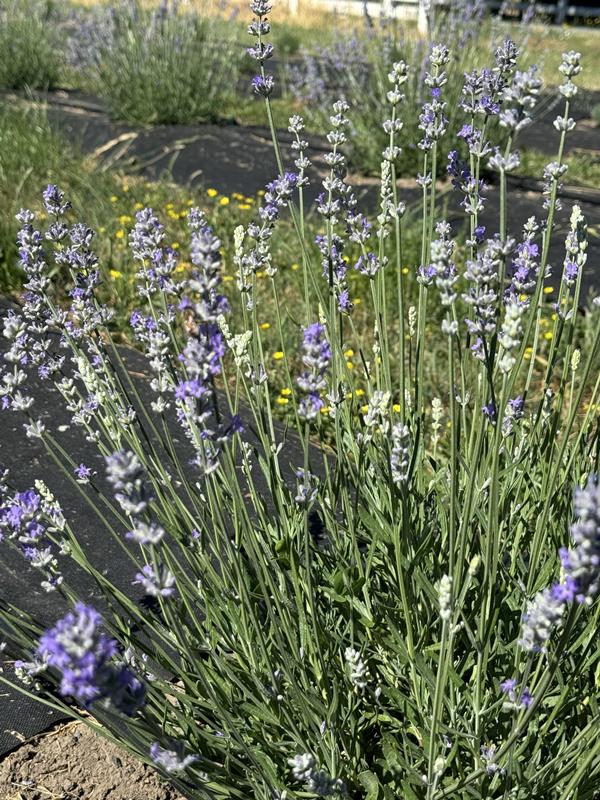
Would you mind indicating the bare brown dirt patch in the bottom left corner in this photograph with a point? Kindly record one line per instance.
(73, 763)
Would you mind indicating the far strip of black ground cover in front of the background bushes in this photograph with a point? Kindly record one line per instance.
(232, 158)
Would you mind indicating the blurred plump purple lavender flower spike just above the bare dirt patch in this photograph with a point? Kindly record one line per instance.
(85, 657)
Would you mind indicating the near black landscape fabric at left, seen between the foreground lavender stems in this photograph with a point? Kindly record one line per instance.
(20, 584)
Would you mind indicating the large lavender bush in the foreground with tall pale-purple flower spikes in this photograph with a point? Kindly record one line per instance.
(409, 611)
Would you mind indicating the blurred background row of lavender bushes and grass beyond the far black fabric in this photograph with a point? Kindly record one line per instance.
(184, 64)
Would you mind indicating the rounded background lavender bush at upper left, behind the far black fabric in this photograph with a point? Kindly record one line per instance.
(169, 65)
